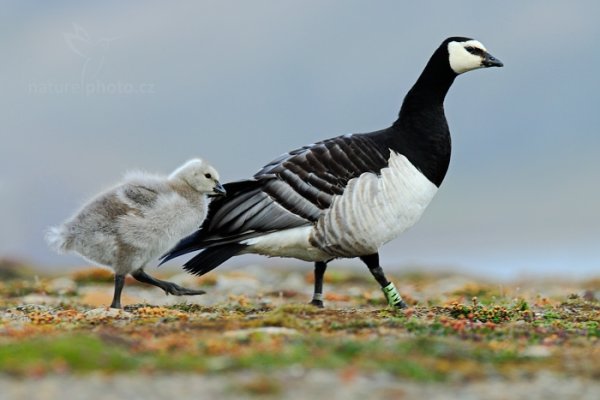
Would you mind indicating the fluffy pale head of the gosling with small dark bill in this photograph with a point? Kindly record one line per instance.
(201, 176)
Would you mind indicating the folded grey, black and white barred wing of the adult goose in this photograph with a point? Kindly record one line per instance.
(292, 190)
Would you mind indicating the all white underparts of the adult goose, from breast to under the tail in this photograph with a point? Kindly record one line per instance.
(372, 211)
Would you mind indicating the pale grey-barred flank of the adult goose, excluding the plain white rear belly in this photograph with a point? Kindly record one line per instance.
(374, 210)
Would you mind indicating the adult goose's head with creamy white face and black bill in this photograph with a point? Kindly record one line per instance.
(466, 54)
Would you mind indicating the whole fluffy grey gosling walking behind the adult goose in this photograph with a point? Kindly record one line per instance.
(135, 222)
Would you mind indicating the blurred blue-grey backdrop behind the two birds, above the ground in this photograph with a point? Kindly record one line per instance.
(91, 90)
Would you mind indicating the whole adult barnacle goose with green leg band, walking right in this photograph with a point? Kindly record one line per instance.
(347, 196)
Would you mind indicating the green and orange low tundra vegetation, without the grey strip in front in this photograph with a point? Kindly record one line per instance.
(455, 329)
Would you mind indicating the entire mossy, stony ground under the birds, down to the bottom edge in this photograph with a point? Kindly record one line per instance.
(253, 336)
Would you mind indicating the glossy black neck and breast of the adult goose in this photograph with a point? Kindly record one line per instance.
(421, 132)
